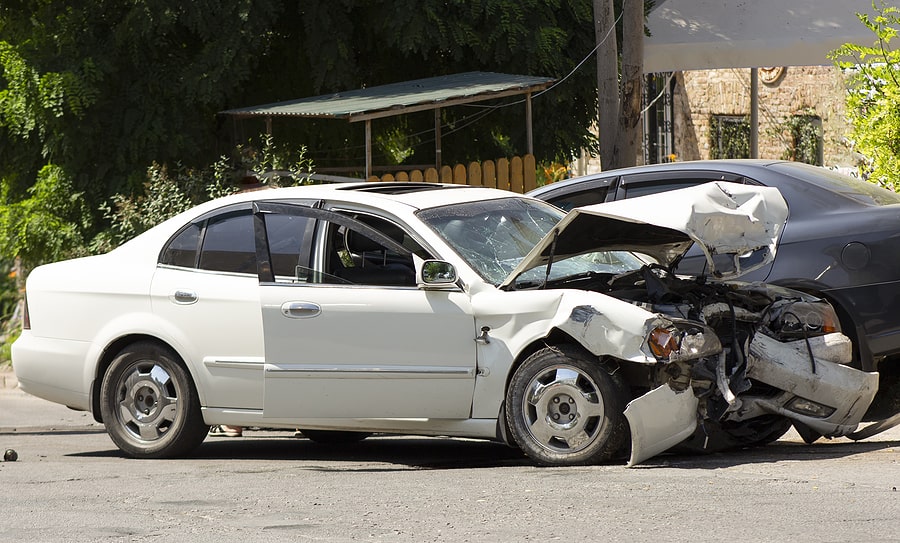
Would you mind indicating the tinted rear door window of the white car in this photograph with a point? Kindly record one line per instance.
(228, 244)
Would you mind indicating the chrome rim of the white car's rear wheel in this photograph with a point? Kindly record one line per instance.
(147, 401)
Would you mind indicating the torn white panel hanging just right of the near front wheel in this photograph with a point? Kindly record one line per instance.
(659, 420)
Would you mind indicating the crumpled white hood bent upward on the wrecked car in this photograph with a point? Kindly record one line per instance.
(722, 218)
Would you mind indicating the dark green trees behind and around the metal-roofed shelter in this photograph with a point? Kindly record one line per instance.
(99, 91)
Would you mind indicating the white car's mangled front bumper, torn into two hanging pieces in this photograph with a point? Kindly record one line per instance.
(817, 389)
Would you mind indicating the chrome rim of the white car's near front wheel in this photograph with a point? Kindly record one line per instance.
(563, 409)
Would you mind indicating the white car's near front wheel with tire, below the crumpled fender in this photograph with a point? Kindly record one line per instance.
(564, 408)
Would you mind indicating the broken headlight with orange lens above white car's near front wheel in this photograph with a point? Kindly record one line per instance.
(672, 341)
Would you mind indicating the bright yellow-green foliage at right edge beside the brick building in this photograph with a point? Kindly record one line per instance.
(873, 103)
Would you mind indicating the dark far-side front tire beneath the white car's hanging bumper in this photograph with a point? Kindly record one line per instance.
(714, 436)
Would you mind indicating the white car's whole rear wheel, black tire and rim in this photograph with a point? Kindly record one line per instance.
(149, 403)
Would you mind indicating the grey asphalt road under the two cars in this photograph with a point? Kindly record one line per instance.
(71, 484)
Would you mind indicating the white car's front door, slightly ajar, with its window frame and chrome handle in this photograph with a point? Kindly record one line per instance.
(356, 349)
